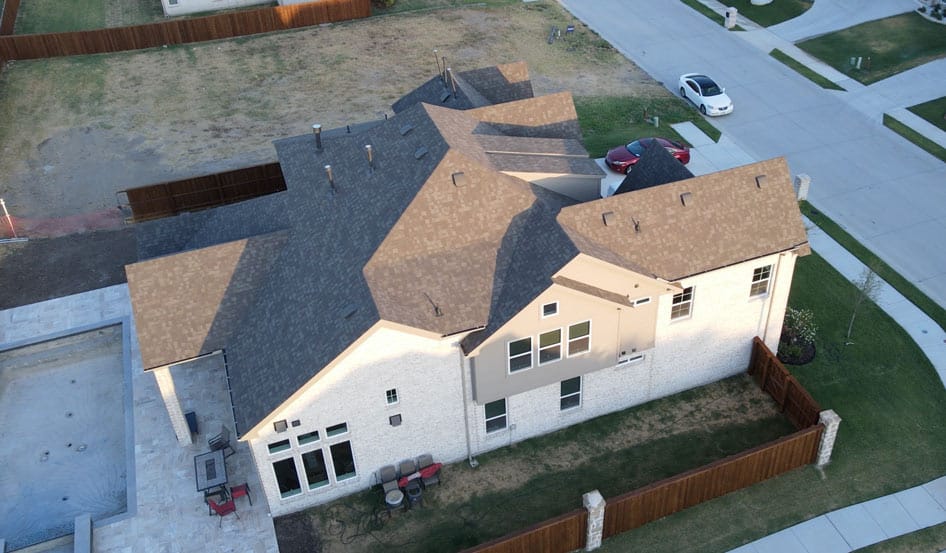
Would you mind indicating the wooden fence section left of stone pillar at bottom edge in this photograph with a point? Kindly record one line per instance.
(558, 535)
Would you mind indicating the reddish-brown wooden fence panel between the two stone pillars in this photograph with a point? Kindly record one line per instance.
(691, 488)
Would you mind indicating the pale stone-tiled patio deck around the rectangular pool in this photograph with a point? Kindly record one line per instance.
(167, 514)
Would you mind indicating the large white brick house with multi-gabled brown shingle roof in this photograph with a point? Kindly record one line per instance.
(445, 282)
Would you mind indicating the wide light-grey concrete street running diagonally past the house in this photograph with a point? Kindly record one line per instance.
(884, 190)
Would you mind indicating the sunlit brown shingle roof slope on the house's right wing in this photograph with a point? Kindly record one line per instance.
(728, 219)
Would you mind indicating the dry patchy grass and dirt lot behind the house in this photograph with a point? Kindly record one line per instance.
(75, 131)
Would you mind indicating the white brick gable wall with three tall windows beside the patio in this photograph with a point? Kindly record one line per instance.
(426, 374)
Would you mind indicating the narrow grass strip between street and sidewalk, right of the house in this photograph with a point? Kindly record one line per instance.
(906, 288)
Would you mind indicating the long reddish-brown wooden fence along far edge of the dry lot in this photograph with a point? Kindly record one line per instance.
(181, 31)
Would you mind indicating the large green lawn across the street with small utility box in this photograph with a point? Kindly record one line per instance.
(887, 46)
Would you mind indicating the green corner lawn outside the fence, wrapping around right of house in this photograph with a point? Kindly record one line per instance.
(893, 433)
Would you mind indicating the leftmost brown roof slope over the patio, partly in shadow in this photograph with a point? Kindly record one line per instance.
(191, 303)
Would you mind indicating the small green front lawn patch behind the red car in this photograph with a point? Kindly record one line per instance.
(607, 122)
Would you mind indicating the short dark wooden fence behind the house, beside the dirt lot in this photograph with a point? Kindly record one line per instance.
(170, 198)
